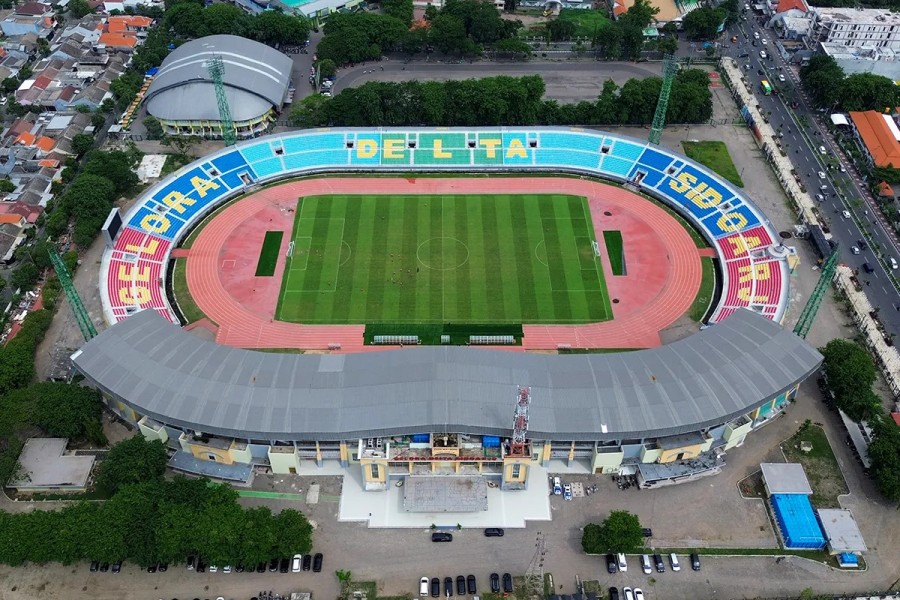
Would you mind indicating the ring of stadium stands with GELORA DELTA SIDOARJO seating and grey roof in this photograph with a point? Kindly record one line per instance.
(694, 399)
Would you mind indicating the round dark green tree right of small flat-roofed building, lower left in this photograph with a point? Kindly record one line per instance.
(132, 461)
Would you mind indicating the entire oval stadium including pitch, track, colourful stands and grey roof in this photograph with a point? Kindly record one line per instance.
(667, 413)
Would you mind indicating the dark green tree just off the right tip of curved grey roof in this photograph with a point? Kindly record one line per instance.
(851, 373)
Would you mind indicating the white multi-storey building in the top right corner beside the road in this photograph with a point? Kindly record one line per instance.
(857, 27)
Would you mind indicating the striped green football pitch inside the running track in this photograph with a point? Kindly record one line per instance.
(443, 259)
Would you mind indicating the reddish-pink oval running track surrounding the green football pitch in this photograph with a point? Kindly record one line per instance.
(662, 262)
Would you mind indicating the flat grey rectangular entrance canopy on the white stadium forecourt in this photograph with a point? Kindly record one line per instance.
(444, 494)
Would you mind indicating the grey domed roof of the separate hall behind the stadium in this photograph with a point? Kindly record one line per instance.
(256, 78)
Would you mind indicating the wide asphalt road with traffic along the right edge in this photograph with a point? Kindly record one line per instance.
(803, 151)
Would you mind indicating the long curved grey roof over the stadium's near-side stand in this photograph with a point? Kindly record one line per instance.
(704, 380)
